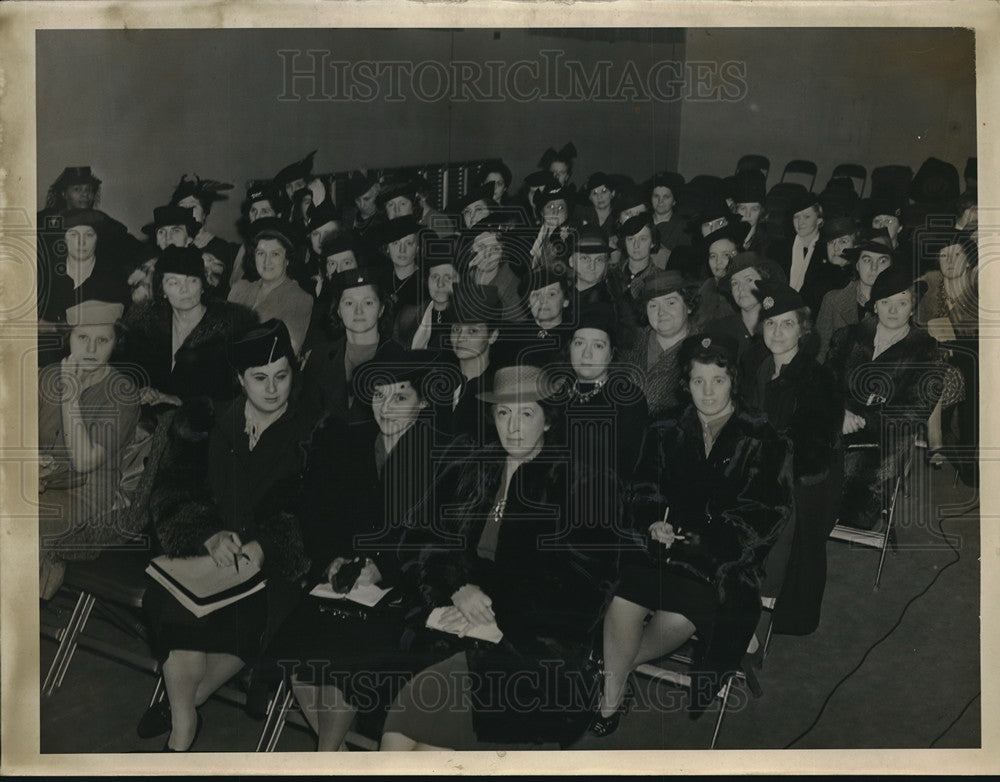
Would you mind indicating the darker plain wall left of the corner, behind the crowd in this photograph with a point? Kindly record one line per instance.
(144, 106)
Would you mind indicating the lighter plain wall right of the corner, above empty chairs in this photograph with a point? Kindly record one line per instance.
(867, 96)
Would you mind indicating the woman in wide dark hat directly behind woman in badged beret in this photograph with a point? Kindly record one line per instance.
(745, 269)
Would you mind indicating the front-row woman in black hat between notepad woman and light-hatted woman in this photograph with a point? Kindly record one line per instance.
(361, 480)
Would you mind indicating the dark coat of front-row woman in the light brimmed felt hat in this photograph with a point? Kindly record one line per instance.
(556, 561)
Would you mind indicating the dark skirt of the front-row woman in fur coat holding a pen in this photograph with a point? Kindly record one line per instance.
(669, 589)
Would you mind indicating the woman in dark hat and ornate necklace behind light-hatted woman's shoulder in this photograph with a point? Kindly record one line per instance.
(603, 399)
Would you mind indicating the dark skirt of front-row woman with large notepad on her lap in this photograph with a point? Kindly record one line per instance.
(237, 629)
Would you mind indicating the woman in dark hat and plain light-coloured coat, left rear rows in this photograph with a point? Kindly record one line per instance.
(269, 287)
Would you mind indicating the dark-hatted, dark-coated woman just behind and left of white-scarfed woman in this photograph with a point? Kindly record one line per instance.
(402, 240)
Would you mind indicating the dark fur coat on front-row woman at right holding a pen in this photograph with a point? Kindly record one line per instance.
(735, 501)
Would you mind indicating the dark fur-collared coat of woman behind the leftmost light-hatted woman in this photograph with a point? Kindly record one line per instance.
(201, 364)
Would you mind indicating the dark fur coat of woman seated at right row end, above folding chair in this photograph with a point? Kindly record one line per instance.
(894, 393)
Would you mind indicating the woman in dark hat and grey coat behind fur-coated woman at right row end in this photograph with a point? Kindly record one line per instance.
(849, 305)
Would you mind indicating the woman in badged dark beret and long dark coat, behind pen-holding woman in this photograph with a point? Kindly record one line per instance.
(803, 403)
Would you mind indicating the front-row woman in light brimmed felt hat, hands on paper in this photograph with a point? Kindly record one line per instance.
(534, 552)
